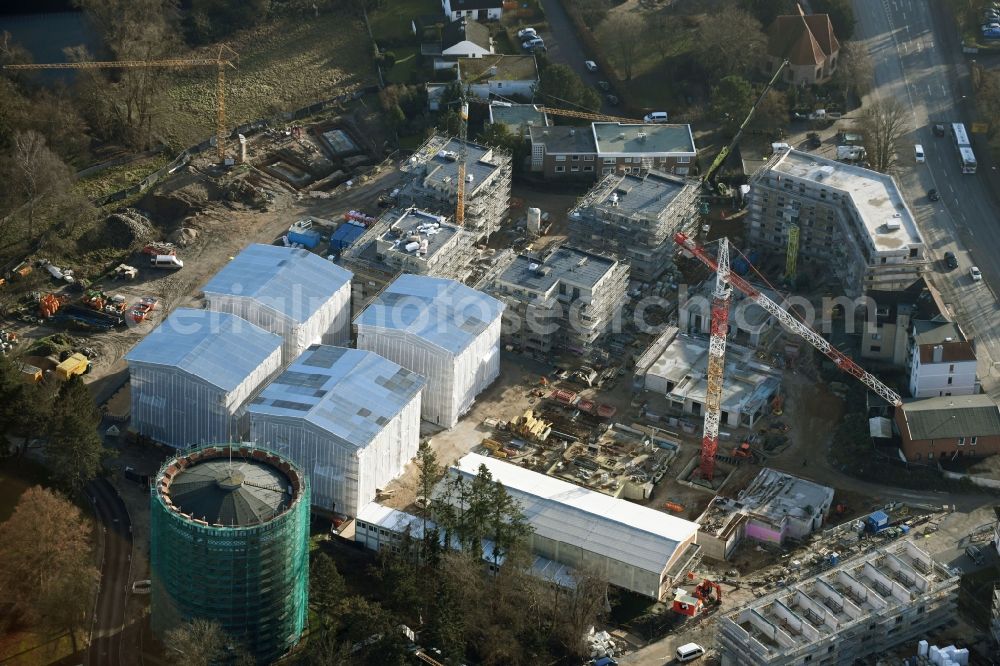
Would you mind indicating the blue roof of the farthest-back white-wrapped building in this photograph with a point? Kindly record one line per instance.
(293, 282)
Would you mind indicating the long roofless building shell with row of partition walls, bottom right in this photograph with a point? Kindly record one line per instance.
(860, 608)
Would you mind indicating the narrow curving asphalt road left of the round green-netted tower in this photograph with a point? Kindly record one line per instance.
(109, 620)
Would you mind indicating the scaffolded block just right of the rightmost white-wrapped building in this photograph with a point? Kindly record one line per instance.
(567, 298)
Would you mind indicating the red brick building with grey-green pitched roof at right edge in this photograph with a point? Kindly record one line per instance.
(949, 427)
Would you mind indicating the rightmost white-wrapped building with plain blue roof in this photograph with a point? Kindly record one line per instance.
(442, 330)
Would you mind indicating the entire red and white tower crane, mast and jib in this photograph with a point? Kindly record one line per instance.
(717, 346)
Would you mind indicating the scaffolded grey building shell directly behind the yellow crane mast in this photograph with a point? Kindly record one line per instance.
(433, 185)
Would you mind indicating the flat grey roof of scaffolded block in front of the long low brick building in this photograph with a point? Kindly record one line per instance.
(647, 195)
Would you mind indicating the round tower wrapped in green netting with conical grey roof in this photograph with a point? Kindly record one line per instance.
(230, 543)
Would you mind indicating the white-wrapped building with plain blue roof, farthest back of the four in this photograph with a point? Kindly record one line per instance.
(292, 292)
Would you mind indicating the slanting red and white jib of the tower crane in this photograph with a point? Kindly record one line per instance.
(841, 360)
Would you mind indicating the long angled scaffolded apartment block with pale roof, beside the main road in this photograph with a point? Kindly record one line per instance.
(852, 220)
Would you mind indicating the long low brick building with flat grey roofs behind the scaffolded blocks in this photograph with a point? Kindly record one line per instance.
(604, 148)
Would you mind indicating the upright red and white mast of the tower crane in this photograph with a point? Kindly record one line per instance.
(716, 362)
